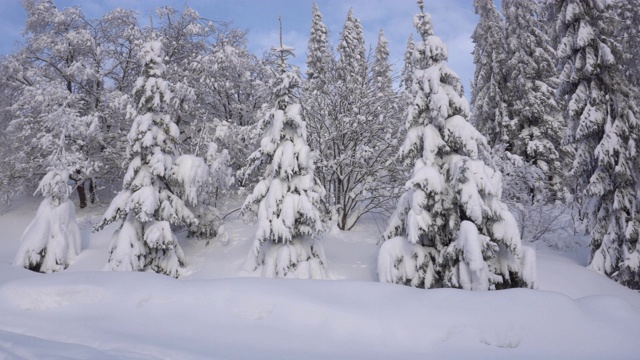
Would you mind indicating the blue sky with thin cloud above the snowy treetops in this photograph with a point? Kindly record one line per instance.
(454, 21)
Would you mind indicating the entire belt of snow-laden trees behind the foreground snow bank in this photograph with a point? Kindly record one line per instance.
(180, 114)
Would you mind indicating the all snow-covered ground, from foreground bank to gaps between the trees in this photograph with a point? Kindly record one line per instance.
(220, 311)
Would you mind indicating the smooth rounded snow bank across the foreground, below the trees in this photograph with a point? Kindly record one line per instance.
(292, 319)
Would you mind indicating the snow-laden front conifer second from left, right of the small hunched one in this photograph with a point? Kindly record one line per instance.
(147, 204)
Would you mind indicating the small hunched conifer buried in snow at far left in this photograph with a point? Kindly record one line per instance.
(52, 239)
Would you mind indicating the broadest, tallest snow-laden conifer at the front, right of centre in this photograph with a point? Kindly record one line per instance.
(450, 228)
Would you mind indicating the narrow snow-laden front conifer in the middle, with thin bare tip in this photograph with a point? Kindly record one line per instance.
(286, 198)
